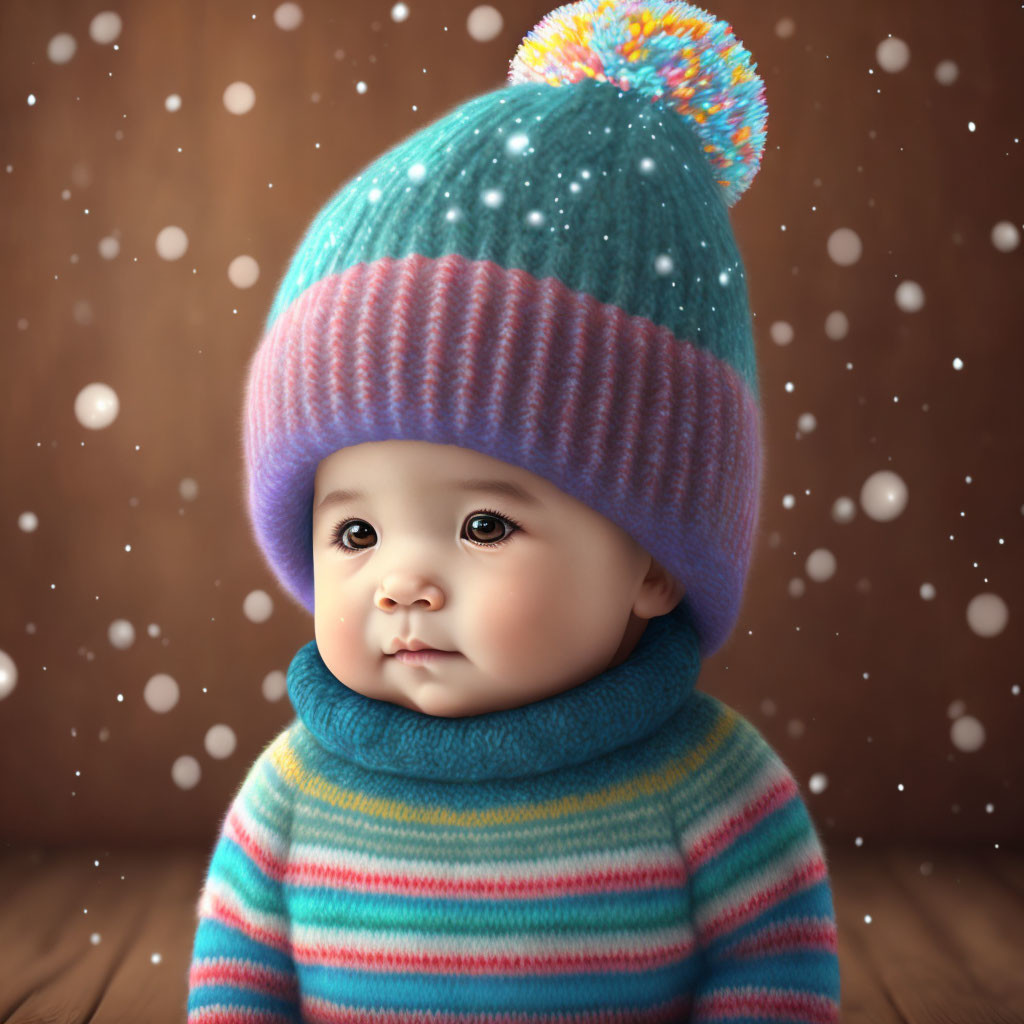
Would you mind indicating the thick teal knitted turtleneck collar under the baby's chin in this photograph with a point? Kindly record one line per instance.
(623, 705)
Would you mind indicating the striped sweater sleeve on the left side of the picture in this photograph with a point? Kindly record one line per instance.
(242, 965)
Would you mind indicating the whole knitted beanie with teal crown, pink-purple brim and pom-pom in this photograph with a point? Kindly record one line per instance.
(547, 275)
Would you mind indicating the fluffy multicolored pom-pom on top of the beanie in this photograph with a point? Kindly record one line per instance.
(670, 52)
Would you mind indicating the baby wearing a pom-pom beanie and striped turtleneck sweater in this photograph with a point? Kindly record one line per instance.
(503, 442)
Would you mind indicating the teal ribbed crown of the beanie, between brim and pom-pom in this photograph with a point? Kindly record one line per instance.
(458, 186)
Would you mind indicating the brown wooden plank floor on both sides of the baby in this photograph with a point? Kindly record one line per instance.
(945, 943)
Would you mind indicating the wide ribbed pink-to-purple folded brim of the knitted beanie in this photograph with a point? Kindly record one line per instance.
(658, 435)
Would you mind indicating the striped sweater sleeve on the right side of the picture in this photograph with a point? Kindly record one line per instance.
(761, 903)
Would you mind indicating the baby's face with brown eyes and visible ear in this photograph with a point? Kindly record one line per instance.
(525, 613)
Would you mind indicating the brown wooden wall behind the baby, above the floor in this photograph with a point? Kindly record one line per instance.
(855, 679)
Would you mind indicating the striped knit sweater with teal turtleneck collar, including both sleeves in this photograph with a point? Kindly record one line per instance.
(631, 850)
